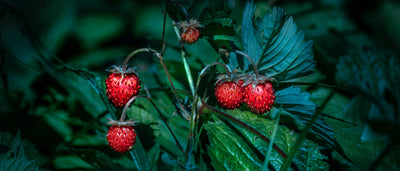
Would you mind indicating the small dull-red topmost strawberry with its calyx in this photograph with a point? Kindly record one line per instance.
(190, 32)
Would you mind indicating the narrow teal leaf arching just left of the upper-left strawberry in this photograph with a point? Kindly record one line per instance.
(94, 81)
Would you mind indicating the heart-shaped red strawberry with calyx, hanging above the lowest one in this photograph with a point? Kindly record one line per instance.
(122, 86)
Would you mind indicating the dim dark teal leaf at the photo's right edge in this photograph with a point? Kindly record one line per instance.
(376, 77)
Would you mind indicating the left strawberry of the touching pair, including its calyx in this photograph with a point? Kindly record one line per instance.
(229, 92)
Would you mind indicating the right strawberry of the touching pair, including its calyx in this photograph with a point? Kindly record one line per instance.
(259, 93)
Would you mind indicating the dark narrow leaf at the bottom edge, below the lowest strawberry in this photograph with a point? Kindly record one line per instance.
(95, 158)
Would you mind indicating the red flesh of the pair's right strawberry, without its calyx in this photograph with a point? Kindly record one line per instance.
(259, 98)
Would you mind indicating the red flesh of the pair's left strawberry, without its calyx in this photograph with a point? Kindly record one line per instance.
(229, 94)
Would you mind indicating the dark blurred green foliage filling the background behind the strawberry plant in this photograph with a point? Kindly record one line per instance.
(51, 118)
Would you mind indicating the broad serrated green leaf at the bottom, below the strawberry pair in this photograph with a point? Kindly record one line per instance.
(308, 157)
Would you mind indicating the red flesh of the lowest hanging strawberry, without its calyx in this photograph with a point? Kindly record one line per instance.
(121, 138)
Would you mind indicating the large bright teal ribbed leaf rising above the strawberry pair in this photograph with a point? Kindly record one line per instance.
(275, 44)
